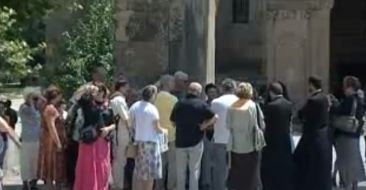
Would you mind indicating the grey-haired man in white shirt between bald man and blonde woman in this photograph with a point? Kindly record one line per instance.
(221, 133)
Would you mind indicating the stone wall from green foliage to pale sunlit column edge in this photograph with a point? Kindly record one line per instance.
(163, 36)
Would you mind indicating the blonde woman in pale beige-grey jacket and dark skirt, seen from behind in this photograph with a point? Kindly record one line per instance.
(245, 123)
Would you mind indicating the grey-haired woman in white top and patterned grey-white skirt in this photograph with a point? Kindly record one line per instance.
(145, 122)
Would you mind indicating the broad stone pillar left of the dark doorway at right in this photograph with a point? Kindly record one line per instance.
(288, 49)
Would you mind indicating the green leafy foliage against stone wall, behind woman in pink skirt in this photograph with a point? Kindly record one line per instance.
(89, 44)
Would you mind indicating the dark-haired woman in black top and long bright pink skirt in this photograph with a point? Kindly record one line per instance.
(94, 163)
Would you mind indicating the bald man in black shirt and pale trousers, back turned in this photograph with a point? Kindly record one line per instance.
(191, 116)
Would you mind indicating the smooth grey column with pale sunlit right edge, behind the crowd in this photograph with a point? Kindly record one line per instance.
(199, 39)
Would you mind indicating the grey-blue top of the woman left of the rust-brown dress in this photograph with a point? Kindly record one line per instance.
(31, 123)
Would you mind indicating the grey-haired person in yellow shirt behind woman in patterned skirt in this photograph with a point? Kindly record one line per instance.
(165, 102)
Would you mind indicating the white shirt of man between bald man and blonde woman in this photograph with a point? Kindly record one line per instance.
(220, 106)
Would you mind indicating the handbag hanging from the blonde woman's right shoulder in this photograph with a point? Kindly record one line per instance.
(258, 136)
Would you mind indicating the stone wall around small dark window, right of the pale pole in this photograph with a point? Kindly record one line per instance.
(240, 46)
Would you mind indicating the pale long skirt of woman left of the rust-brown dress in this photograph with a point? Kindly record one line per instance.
(29, 160)
